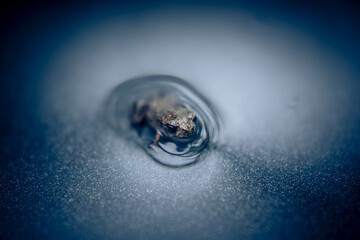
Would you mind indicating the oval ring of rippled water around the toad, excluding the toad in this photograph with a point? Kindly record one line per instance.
(168, 150)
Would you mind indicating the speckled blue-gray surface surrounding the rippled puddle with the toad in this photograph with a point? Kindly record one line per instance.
(285, 77)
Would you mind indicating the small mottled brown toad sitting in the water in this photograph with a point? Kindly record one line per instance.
(167, 117)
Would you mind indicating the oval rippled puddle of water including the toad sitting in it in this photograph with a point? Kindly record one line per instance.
(172, 121)
